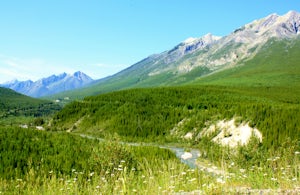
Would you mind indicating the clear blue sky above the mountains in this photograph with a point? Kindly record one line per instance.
(102, 37)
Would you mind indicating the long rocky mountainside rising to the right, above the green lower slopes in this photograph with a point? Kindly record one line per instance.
(197, 57)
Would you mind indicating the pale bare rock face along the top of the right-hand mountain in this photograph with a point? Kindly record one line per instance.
(243, 42)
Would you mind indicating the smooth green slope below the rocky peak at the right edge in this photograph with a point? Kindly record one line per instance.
(276, 65)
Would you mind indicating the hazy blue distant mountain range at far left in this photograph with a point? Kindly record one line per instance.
(50, 85)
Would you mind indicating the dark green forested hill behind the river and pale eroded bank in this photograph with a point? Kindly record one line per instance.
(150, 114)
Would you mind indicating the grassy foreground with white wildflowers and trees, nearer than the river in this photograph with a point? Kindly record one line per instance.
(115, 168)
